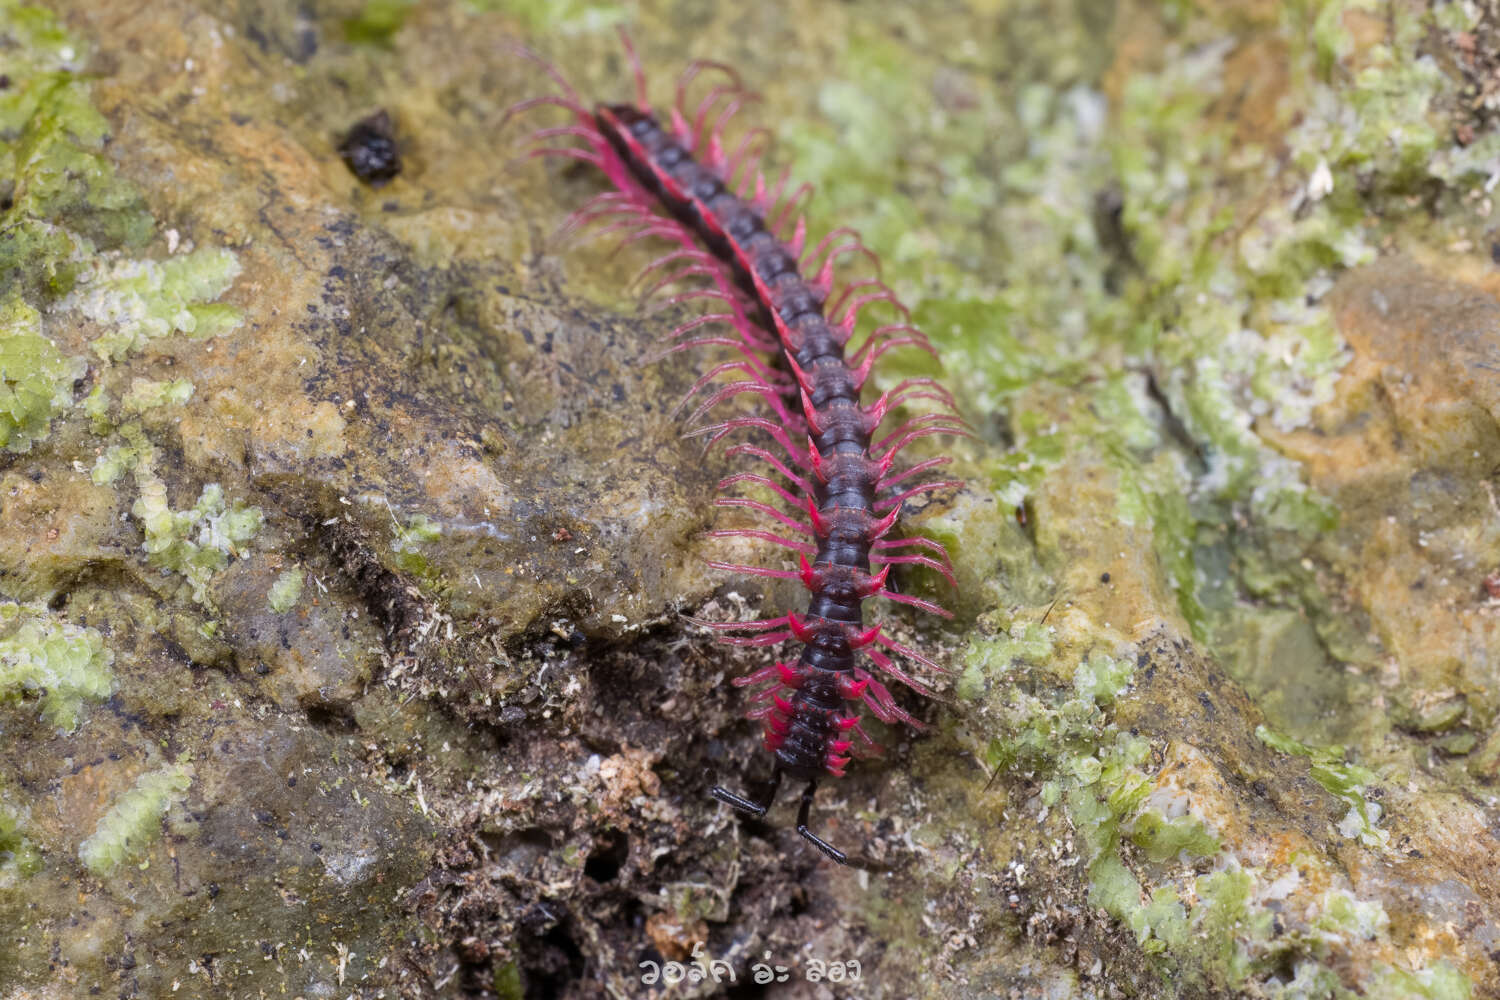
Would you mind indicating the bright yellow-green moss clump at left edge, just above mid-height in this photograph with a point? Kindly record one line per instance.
(37, 380)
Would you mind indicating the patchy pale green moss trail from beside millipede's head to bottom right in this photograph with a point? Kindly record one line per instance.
(1213, 932)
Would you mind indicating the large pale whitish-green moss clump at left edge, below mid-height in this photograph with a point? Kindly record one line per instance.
(56, 662)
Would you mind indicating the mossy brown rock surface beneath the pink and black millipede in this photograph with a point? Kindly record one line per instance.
(346, 530)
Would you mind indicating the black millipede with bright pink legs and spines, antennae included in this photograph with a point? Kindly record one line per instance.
(740, 245)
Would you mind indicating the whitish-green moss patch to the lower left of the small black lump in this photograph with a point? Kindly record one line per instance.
(143, 301)
